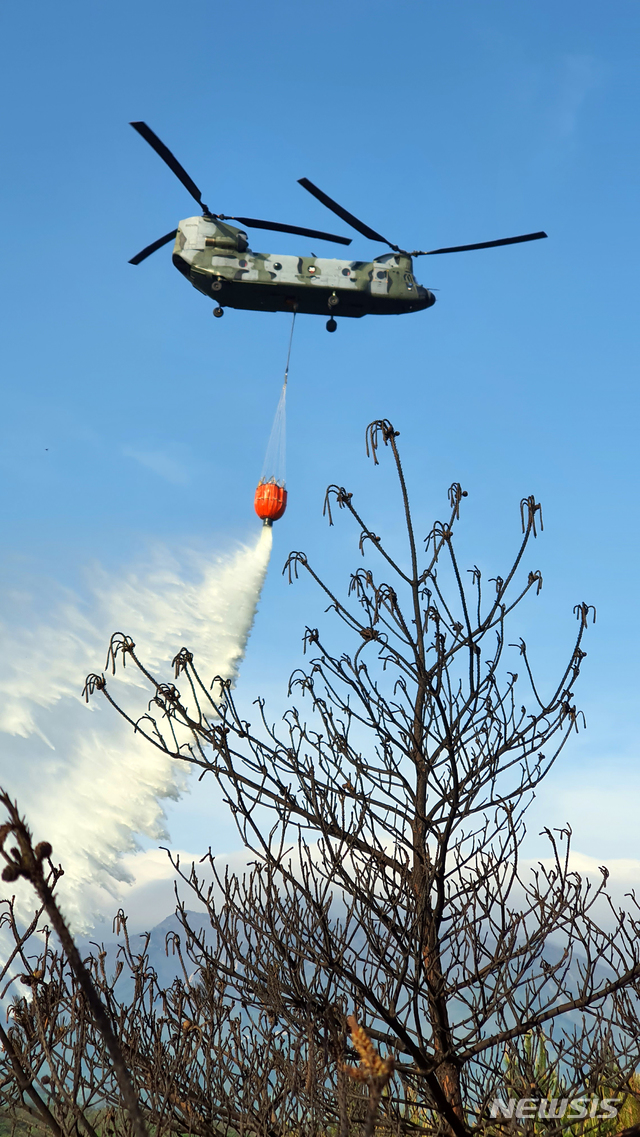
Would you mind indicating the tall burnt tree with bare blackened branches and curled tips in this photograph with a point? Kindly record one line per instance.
(386, 816)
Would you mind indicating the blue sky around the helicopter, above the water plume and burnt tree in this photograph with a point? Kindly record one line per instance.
(132, 419)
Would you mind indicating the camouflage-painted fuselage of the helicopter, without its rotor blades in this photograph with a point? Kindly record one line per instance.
(217, 260)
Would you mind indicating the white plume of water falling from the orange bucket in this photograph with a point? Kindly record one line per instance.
(85, 779)
